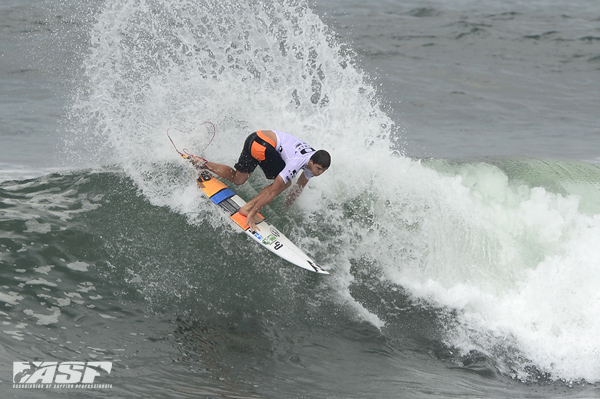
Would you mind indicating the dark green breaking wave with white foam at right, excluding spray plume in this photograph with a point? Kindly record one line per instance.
(493, 266)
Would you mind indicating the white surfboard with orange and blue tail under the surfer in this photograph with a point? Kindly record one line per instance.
(267, 235)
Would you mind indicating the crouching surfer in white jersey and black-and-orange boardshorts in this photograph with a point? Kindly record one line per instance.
(280, 156)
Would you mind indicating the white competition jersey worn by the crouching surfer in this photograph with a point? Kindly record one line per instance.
(295, 153)
